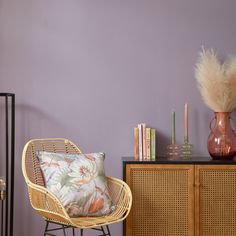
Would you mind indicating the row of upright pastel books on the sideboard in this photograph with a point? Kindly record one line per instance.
(145, 142)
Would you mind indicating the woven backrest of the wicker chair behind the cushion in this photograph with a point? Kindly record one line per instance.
(30, 164)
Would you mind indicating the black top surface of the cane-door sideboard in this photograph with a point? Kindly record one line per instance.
(180, 160)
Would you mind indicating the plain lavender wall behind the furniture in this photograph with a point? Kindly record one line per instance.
(91, 70)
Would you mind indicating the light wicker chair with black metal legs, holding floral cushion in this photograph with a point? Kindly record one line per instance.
(50, 208)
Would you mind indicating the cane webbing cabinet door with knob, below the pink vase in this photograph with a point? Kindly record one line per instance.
(215, 199)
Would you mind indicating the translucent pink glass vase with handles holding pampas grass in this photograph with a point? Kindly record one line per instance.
(222, 141)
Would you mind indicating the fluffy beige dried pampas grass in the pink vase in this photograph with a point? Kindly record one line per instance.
(217, 81)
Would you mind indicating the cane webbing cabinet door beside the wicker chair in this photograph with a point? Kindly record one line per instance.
(163, 200)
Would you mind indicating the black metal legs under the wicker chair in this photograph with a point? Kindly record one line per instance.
(63, 227)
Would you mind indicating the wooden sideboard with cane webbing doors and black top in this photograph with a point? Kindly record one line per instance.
(194, 197)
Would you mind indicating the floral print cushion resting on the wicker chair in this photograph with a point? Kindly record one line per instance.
(79, 182)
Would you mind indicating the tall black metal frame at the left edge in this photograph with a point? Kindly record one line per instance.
(8, 203)
